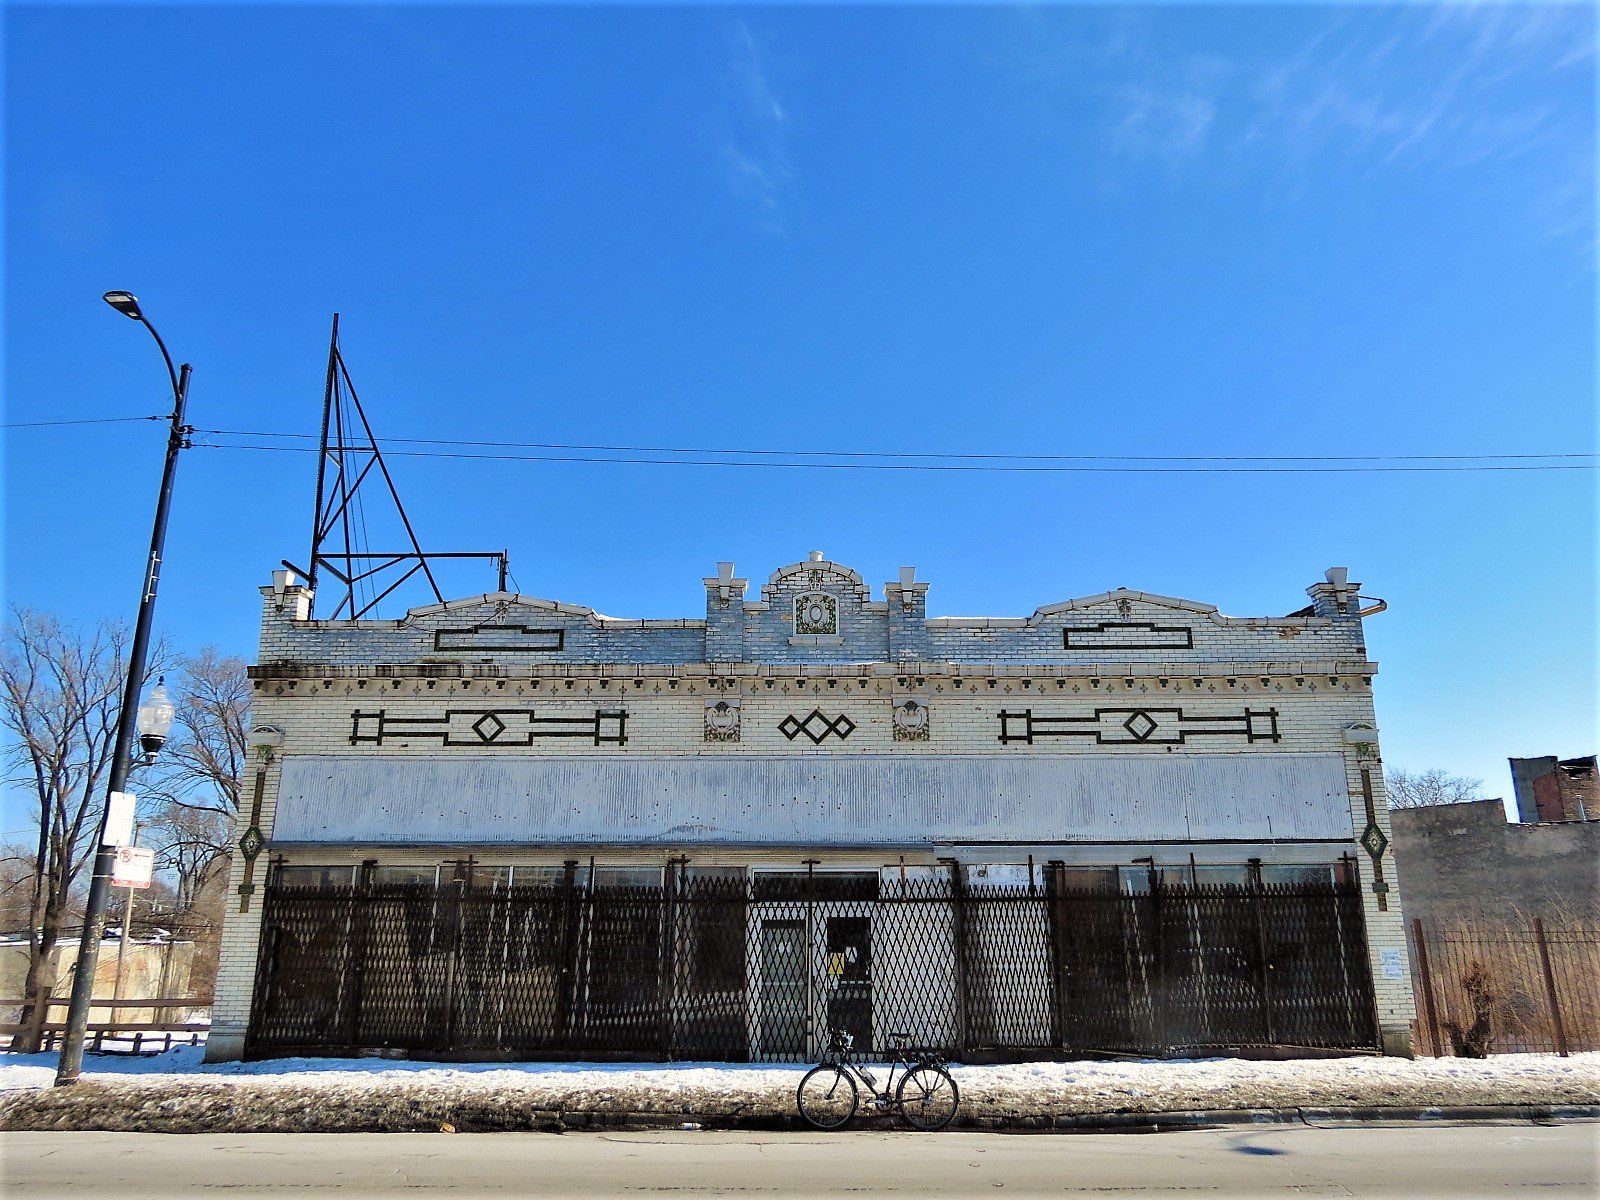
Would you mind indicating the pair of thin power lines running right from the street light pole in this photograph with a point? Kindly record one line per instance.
(943, 466)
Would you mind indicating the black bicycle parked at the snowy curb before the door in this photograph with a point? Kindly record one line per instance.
(926, 1097)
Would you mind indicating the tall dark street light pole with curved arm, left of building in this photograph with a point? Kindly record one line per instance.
(127, 721)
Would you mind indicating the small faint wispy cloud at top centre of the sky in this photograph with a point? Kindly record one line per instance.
(756, 150)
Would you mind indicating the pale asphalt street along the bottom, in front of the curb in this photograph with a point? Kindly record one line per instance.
(1375, 1161)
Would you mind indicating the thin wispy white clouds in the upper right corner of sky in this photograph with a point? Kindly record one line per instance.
(1374, 90)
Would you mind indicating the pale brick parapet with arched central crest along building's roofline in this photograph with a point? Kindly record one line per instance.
(814, 612)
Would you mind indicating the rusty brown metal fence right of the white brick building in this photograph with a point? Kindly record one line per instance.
(1500, 988)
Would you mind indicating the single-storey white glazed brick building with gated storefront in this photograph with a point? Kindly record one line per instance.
(809, 748)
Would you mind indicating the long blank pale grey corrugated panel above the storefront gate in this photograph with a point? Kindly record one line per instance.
(810, 801)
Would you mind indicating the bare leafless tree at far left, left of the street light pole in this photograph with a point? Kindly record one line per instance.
(60, 698)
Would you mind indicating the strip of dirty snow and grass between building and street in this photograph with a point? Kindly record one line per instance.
(178, 1092)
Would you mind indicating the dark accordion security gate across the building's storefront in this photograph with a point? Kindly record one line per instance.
(756, 969)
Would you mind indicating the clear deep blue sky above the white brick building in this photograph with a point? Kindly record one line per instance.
(1164, 231)
